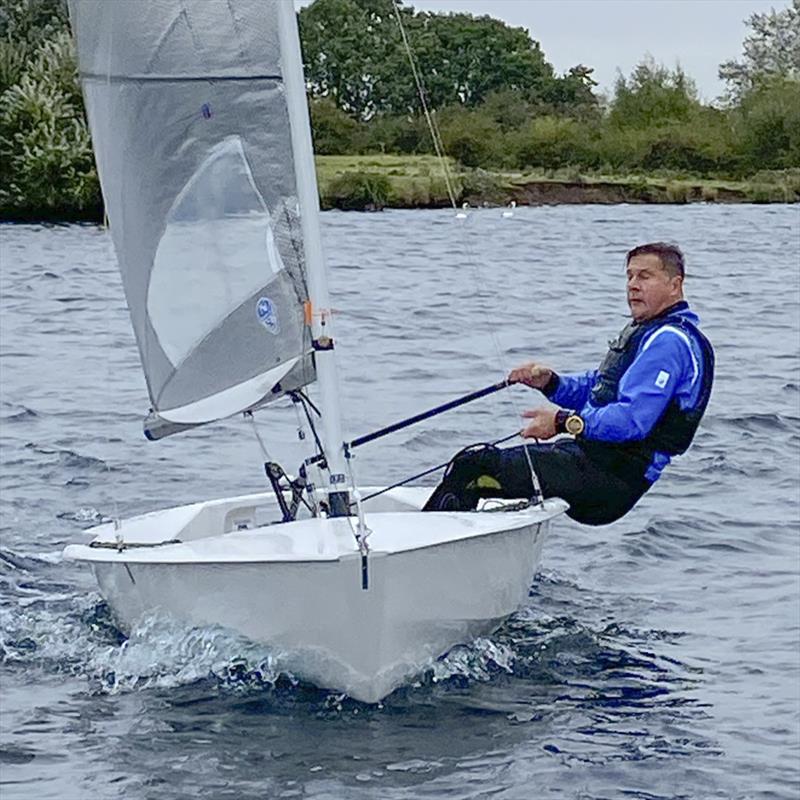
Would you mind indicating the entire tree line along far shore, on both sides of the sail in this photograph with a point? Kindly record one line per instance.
(497, 102)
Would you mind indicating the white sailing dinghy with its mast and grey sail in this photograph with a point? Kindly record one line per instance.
(201, 133)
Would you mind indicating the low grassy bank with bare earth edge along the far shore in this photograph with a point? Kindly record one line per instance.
(381, 181)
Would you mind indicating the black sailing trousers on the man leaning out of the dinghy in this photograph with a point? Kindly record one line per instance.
(596, 496)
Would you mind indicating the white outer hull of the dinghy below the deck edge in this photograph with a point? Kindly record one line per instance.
(319, 621)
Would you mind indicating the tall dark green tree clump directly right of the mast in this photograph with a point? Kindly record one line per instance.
(354, 54)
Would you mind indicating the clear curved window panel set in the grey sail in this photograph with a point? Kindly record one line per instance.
(217, 249)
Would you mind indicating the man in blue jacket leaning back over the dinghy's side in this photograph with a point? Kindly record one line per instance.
(628, 417)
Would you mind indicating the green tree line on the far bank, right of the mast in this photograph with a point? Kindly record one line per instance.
(499, 104)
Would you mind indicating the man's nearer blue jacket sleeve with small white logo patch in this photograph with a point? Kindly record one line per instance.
(646, 388)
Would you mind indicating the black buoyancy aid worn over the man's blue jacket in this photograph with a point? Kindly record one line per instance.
(676, 427)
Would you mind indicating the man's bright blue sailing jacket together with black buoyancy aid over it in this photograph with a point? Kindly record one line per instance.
(645, 401)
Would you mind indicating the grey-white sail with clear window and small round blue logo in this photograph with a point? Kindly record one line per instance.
(187, 106)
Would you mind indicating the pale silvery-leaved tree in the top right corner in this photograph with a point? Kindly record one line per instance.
(771, 50)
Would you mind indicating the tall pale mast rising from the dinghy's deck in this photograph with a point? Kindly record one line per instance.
(308, 196)
